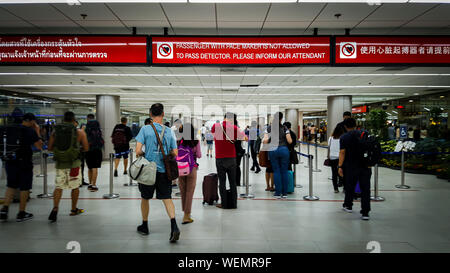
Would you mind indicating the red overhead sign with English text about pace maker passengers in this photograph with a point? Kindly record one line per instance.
(240, 50)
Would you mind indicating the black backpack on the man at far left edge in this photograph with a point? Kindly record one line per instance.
(11, 139)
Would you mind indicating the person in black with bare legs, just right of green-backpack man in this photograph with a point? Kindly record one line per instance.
(94, 156)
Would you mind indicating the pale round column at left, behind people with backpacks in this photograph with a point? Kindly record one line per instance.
(108, 115)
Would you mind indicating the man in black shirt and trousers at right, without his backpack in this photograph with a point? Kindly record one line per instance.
(352, 169)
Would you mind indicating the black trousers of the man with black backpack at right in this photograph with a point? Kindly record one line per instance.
(352, 176)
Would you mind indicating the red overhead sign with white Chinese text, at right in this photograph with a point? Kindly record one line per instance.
(388, 50)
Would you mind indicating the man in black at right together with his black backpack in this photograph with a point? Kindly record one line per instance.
(358, 153)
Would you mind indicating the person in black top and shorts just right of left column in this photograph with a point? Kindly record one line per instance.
(121, 137)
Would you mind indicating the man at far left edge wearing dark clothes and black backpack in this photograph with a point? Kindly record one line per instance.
(17, 155)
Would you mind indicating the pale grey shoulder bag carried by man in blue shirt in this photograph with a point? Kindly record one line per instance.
(143, 171)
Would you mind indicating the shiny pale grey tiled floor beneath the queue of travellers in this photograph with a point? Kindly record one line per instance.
(415, 220)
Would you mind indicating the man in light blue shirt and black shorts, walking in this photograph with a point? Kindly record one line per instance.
(163, 185)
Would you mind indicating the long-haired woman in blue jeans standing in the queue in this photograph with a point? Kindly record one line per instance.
(279, 137)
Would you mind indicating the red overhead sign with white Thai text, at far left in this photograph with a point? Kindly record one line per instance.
(73, 49)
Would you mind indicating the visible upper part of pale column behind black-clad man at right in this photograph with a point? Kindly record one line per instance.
(336, 106)
